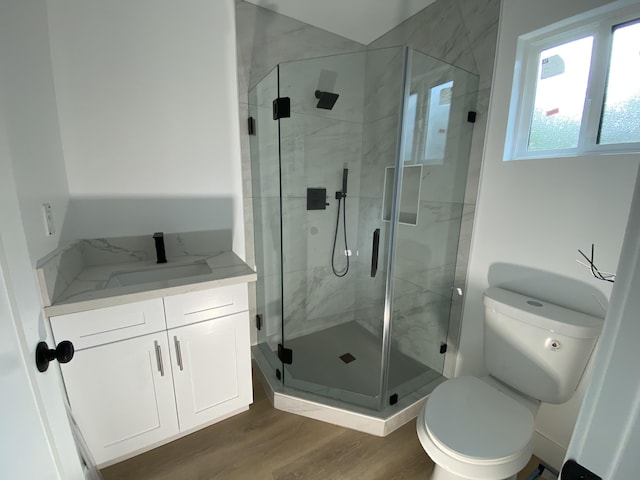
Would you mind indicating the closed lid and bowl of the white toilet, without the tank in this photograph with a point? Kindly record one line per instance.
(475, 431)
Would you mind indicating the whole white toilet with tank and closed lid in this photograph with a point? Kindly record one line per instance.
(482, 428)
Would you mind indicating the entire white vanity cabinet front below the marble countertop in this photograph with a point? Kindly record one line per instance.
(146, 373)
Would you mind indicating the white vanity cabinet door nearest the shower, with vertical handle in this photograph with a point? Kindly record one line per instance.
(211, 364)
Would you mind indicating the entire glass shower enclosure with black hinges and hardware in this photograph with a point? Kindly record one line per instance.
(359, 165)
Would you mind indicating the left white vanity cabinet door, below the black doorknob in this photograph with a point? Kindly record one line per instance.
(121, 395)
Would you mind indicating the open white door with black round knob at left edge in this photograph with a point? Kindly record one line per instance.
(35, 437)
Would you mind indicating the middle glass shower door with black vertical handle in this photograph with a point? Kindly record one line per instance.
(333, 301)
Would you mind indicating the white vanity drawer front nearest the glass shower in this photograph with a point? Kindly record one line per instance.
(200, 306)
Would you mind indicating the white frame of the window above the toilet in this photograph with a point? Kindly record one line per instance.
(526, 75)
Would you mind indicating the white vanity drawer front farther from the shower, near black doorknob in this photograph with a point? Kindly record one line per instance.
(110, 324)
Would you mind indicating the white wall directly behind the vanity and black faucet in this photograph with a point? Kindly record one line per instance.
(147, 97)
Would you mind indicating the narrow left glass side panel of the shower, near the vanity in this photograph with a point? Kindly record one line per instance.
(265, 178)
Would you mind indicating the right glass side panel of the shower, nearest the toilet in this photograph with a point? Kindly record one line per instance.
(436, 150)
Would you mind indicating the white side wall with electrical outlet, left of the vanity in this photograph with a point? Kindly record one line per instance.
(32, 120)
